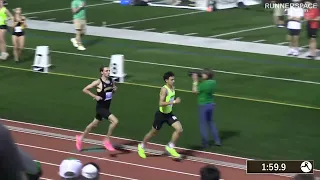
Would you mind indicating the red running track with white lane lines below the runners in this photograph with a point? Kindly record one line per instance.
(122, 164)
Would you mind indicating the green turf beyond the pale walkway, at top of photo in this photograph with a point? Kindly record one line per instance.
(250, 25)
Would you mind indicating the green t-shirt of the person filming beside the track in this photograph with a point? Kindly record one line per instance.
(205, 90)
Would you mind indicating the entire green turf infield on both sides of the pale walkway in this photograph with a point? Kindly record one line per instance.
(258, 117)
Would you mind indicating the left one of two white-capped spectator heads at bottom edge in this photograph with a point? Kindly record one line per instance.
(70, 169)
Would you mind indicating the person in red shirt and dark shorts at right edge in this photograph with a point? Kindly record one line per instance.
(312, 18)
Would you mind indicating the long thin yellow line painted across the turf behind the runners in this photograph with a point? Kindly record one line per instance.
(182, 90)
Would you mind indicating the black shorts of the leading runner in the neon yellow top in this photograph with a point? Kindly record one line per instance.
(161, 118)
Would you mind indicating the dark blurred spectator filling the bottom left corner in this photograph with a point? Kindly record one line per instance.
(11, 165)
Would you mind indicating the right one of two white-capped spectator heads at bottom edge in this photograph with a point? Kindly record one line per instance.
(90, 171)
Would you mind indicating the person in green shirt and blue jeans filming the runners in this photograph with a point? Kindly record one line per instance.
(205, 89)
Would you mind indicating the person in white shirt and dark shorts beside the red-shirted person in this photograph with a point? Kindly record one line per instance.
(295, 15)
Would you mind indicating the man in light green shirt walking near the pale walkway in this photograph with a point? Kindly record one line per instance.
(79, 20)
